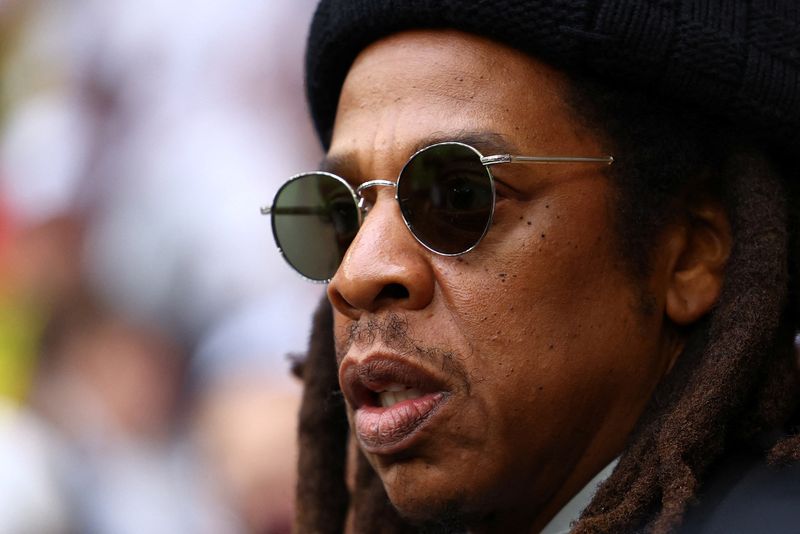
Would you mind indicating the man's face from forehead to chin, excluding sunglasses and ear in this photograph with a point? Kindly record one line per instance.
(517, 370)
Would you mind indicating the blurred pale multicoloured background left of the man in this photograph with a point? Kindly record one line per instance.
(145, 316)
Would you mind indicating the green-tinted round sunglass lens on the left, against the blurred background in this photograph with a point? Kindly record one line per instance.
(314, 220)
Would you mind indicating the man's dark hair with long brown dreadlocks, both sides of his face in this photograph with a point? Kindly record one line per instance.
(736, 380)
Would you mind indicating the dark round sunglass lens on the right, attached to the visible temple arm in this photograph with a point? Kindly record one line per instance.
(446, 196)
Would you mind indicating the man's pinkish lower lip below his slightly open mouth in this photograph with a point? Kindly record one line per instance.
(390, 430)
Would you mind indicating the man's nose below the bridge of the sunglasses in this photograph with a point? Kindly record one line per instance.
(384, 265)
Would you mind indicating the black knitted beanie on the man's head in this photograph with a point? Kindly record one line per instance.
(737, 59)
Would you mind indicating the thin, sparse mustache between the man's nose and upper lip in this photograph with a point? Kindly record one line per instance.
(393, 332)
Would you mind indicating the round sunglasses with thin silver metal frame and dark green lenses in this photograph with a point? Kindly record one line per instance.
(445, 192)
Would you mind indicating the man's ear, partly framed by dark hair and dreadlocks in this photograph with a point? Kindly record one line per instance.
(700, 252)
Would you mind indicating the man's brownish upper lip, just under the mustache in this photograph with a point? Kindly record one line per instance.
(362, 380)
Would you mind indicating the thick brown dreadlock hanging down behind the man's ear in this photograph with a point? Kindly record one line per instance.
(714, 381)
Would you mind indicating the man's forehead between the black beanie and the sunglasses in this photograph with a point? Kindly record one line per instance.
(390, 109)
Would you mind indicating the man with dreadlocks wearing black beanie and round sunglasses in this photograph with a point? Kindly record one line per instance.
(557, 235)
